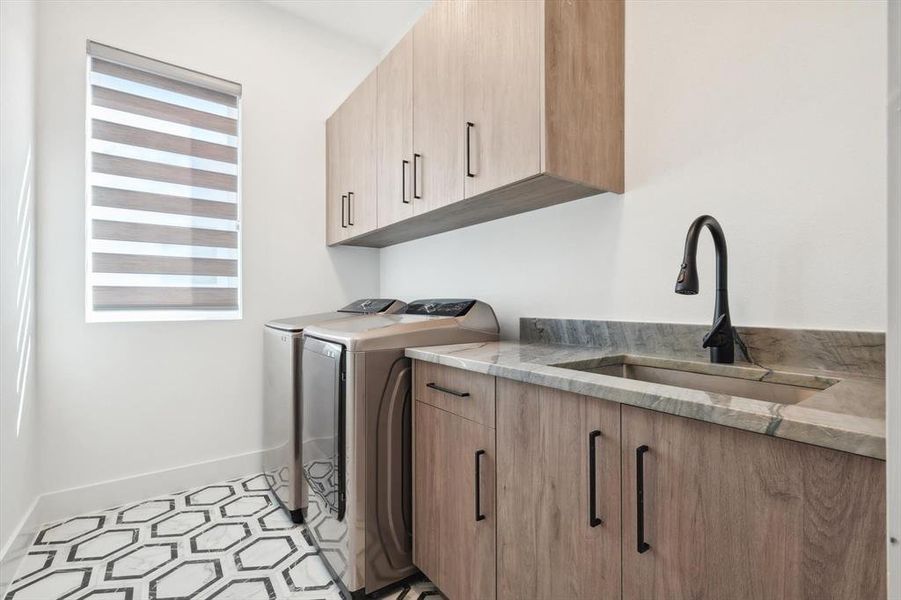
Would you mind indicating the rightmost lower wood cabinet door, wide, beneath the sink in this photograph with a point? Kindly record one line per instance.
(734, 514)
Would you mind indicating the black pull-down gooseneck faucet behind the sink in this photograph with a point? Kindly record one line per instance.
(720, 339)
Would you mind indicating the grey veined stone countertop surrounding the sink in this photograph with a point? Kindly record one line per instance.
(848, 415)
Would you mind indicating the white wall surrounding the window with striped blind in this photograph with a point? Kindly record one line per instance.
(122, 399)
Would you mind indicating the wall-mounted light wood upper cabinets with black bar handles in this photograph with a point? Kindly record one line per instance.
(516, 105)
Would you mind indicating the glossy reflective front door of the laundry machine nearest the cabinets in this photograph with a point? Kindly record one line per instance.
(322, 435)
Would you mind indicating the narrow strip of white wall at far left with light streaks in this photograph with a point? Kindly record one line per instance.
(18, 433)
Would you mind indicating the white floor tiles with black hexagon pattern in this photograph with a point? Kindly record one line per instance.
(227, 541)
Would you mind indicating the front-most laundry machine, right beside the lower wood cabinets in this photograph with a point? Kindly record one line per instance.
(356, 433)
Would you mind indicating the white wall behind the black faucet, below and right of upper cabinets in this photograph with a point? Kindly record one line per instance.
(769, 116)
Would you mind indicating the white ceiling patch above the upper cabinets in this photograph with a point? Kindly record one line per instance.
(378, 24)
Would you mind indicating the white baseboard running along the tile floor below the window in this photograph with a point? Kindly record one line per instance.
(61, 504)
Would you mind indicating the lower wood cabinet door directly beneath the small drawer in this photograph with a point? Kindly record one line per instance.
(454, 509)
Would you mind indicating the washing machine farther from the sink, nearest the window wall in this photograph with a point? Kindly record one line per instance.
(282, 343)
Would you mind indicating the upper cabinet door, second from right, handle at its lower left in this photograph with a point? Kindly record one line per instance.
(438, 122)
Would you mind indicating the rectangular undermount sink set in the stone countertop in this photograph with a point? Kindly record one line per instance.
(740, 384)
